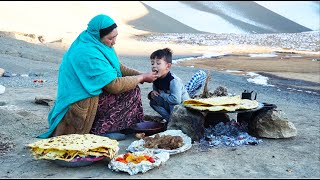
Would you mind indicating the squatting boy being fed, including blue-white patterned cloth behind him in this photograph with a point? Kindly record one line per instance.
(168, 89)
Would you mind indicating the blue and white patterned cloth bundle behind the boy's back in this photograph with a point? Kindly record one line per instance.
(196, 82)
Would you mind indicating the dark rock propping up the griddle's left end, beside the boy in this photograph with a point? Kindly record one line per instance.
(189, 122)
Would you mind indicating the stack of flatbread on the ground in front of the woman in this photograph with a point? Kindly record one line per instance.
(67, 147)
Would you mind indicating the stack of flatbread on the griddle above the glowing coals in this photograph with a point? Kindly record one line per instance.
(221, 103)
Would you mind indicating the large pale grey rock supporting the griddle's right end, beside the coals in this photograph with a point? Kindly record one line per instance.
(272, 124)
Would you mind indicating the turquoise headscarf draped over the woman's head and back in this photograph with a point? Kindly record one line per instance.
(86, 68)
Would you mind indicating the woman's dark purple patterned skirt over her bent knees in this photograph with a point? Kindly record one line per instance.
(118, 112)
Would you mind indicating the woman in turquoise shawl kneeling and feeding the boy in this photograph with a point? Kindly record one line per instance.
(96, 93)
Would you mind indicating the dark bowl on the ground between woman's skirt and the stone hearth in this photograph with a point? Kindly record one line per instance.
(149, 127)
